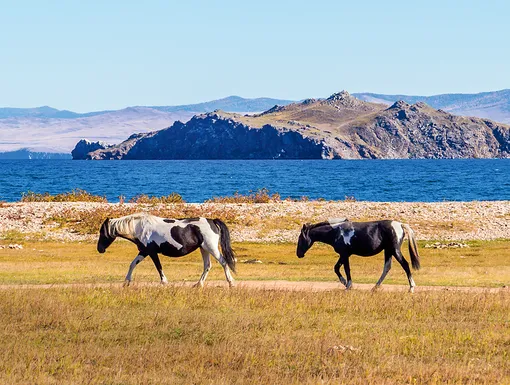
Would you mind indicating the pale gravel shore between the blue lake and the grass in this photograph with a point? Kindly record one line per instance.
(281, 221)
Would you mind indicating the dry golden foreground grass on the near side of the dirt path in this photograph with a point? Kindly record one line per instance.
(220, 336)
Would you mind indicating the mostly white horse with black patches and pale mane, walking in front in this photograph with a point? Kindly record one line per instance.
(173, 238)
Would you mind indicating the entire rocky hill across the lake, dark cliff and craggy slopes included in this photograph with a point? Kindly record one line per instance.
(339, 127)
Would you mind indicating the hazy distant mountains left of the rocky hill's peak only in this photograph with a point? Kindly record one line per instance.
(47, 129)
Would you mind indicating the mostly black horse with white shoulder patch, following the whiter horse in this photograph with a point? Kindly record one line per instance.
(364, 239)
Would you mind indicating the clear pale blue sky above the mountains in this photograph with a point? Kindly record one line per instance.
(95, 55)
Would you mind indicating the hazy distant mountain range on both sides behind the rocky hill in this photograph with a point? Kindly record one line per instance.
(45, 129)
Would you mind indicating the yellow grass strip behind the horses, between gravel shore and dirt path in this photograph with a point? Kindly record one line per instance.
(481, 264)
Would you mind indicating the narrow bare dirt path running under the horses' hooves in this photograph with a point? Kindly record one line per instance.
(272, 285)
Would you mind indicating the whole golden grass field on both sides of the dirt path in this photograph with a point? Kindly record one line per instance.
(178, 335)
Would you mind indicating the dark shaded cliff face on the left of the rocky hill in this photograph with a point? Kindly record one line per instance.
(211, 136)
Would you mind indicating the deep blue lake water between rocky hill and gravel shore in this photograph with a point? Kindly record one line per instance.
(196, 181)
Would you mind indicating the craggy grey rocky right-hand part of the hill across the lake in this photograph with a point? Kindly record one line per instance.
(418, 131)
